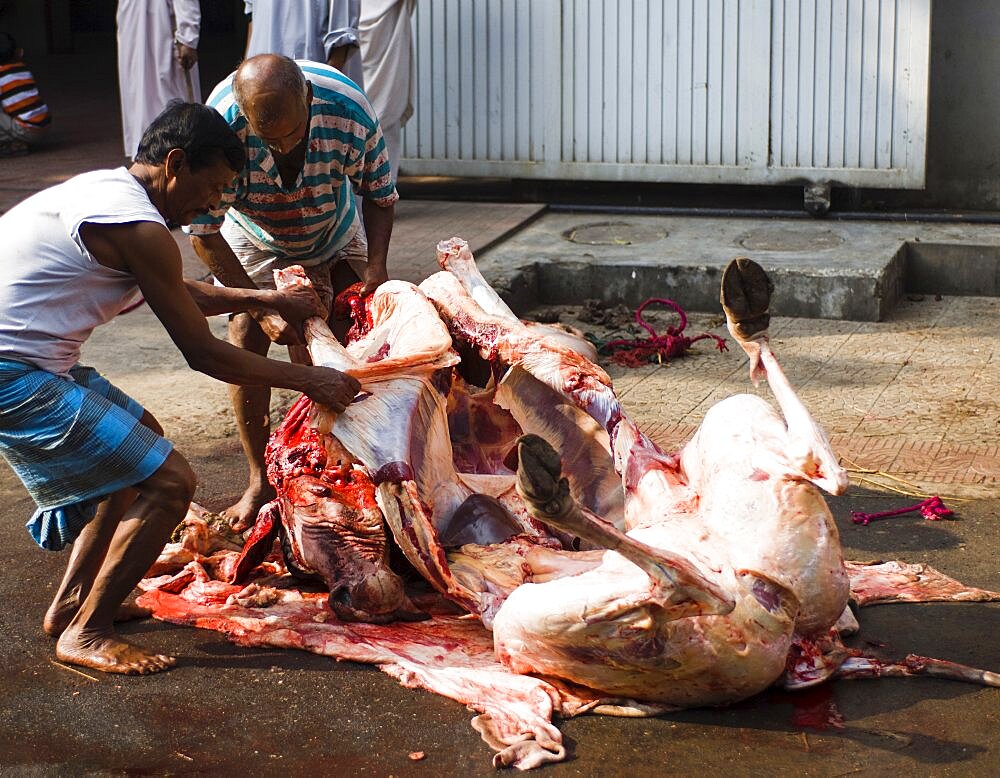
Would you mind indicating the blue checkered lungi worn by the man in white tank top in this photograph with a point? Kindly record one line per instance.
(72, 443)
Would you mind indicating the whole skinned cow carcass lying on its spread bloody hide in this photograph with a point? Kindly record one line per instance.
(606, 575)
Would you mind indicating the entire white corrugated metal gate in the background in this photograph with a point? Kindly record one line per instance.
(738, 91)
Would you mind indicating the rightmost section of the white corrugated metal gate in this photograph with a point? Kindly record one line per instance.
(849, 85)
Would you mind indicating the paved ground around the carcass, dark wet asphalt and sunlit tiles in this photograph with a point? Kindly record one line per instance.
(914, 396)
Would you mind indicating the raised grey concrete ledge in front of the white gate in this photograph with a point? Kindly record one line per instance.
(854, 271)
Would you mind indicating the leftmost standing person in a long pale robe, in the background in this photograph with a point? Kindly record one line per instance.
(157, 60)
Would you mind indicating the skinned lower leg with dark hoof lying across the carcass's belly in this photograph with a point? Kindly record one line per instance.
(675, 580)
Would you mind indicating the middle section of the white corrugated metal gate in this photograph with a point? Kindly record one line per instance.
(664, 83)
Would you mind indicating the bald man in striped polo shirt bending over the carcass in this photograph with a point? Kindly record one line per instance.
(312, 141)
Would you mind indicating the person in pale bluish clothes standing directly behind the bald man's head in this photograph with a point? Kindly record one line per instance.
(317, 30)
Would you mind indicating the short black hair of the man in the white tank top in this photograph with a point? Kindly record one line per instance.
(199, 131)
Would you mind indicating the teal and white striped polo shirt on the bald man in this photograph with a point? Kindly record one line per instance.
(346, 154)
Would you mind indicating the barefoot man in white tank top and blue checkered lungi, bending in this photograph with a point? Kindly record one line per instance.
(104, 478)
